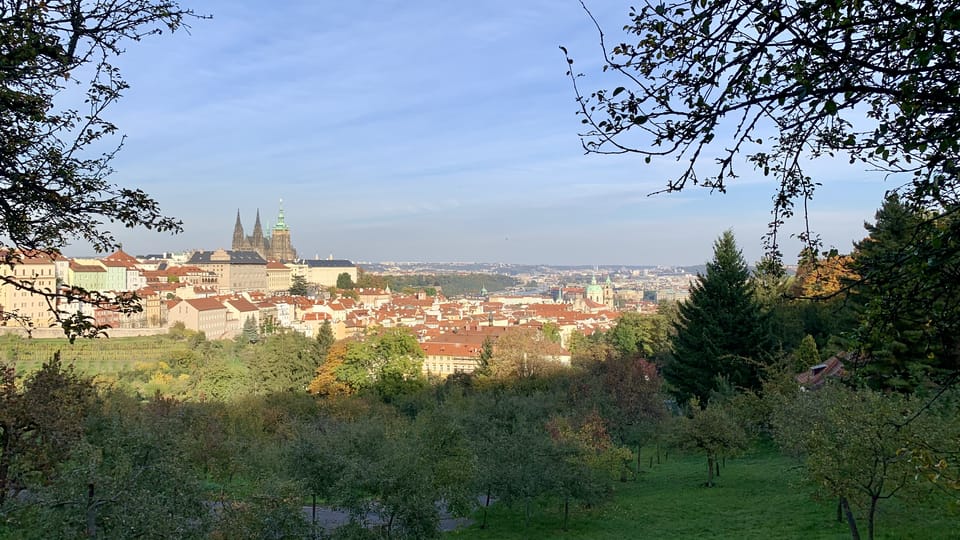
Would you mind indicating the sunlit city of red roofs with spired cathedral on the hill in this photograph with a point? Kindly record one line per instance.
(260, 281)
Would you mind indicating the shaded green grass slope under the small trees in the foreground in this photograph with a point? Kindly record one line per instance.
(759, 496)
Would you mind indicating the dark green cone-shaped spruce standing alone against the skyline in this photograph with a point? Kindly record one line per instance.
(721, 331)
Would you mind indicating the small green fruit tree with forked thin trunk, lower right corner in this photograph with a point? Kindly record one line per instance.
(859, 446)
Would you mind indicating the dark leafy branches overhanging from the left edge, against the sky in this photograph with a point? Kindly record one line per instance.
(55, 151)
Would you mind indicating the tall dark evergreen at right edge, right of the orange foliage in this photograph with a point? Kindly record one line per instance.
(909, 316)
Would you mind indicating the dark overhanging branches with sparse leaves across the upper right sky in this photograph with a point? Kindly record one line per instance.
(717, 84)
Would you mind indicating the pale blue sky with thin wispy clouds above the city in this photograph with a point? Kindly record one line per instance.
(418, 130)
